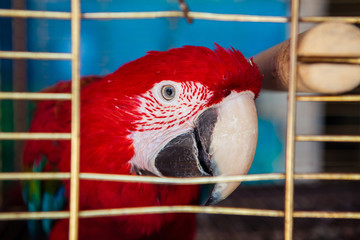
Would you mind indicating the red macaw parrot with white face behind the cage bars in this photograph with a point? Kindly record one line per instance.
(185, 112)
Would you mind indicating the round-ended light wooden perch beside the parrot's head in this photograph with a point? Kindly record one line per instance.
(324, 40)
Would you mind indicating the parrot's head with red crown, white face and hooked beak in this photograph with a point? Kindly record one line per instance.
(194, 114)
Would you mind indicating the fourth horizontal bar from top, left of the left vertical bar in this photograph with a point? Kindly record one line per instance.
(34, 136)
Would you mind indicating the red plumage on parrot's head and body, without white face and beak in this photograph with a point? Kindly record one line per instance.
(108, 112)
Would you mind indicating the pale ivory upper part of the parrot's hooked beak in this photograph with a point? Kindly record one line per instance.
(234, 140)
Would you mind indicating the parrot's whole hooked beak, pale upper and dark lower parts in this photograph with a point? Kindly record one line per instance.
(222, 143)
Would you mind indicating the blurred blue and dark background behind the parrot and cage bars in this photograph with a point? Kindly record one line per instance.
(107, 44)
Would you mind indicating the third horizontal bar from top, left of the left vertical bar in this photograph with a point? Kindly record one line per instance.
(35, 96)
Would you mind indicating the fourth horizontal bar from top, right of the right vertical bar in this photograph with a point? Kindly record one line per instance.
(327, 138)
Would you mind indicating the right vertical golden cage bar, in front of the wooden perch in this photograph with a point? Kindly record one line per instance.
(291, 116)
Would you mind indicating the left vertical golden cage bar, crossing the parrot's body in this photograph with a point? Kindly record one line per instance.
(75, 119)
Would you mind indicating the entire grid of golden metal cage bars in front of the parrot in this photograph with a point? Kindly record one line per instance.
(288, 214)
